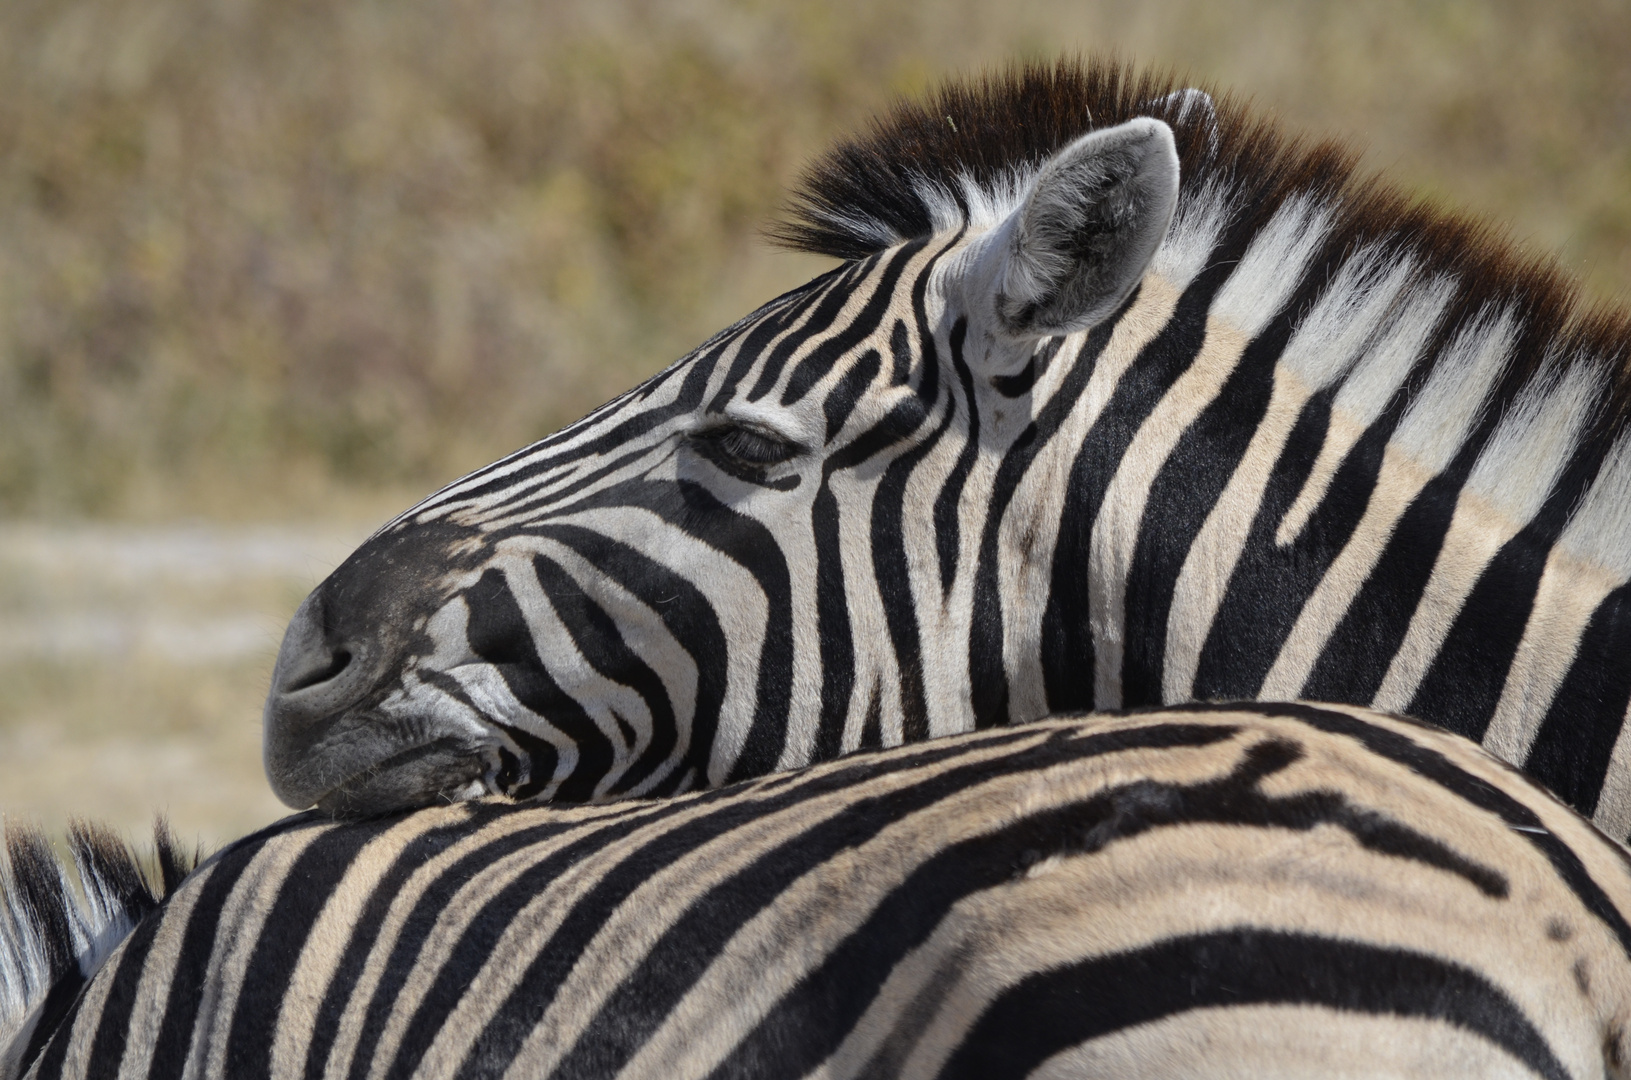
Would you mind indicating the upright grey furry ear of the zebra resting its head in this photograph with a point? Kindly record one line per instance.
(1087, 232)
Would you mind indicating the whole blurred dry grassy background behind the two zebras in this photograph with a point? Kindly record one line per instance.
(296, 263)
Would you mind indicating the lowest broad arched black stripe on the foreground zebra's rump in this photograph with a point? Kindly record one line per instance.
(1054, 1011)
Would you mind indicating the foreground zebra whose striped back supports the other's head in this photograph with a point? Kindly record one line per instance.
(1213, 890)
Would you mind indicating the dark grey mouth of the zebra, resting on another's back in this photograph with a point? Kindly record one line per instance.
(444, 771)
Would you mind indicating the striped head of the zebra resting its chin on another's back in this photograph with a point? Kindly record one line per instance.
(758, 559)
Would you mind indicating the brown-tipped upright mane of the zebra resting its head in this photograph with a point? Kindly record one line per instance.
(966, 154)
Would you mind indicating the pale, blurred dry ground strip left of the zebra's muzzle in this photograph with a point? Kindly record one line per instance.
(133, 665)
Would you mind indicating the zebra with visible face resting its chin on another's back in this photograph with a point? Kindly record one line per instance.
(1116, 399)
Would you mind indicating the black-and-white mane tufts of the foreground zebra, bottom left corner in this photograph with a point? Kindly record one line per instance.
(51, 932)
